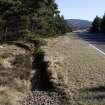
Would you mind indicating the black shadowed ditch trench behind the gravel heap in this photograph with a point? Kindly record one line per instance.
(40, 80)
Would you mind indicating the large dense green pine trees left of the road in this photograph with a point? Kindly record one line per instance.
(31, 17)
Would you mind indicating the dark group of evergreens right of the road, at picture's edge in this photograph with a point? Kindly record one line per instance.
(98, 25)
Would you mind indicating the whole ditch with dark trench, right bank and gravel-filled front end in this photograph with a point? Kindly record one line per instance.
(44, 89)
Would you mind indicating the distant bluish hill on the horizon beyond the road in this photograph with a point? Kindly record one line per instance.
(77, 24)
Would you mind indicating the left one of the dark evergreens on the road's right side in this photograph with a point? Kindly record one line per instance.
(96, 24)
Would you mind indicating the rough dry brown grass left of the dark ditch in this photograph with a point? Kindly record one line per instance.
(15, 69)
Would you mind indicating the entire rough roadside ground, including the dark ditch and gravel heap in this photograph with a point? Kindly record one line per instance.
(74, 68)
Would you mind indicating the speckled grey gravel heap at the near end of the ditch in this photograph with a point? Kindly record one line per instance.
(40, 98)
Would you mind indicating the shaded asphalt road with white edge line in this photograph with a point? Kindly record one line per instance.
(97, 40)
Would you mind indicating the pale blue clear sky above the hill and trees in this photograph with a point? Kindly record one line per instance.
(81, 9)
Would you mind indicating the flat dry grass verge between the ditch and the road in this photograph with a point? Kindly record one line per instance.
(82, 68)
